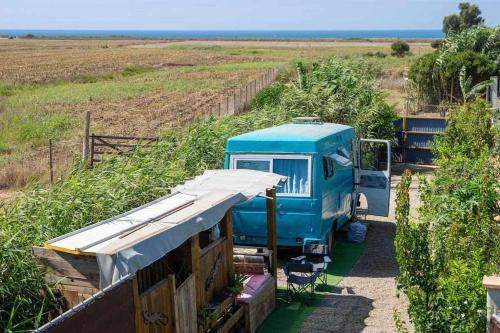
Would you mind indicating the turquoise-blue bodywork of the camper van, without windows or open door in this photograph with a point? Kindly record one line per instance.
(298, 218)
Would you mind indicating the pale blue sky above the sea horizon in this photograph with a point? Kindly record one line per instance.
(233, 14)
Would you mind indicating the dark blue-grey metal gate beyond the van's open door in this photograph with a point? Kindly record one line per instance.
(414, 136)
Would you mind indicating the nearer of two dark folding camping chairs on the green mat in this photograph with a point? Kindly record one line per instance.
(299, 278)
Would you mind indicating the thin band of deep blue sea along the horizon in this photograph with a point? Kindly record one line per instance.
(282, 35)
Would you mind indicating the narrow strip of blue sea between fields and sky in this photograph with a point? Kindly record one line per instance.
(230, 34)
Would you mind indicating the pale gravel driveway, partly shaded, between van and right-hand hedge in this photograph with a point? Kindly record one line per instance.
(365, 300)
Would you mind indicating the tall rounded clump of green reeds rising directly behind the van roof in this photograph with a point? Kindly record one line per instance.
(341, 92)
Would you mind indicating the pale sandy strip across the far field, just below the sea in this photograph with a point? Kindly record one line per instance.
(260, 43)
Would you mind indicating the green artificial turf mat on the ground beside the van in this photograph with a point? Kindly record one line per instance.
(289, 316)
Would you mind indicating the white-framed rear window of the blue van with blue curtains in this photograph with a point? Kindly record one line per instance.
(297, 169)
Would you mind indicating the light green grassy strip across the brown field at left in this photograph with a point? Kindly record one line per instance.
(123, 86)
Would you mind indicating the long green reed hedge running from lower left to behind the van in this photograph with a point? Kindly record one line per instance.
(346, 93)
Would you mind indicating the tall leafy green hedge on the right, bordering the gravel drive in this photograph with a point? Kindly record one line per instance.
(443, 256)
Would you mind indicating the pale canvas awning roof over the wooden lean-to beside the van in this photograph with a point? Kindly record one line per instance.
(128, 242)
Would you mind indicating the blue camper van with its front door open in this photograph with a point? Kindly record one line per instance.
(327, 169)
